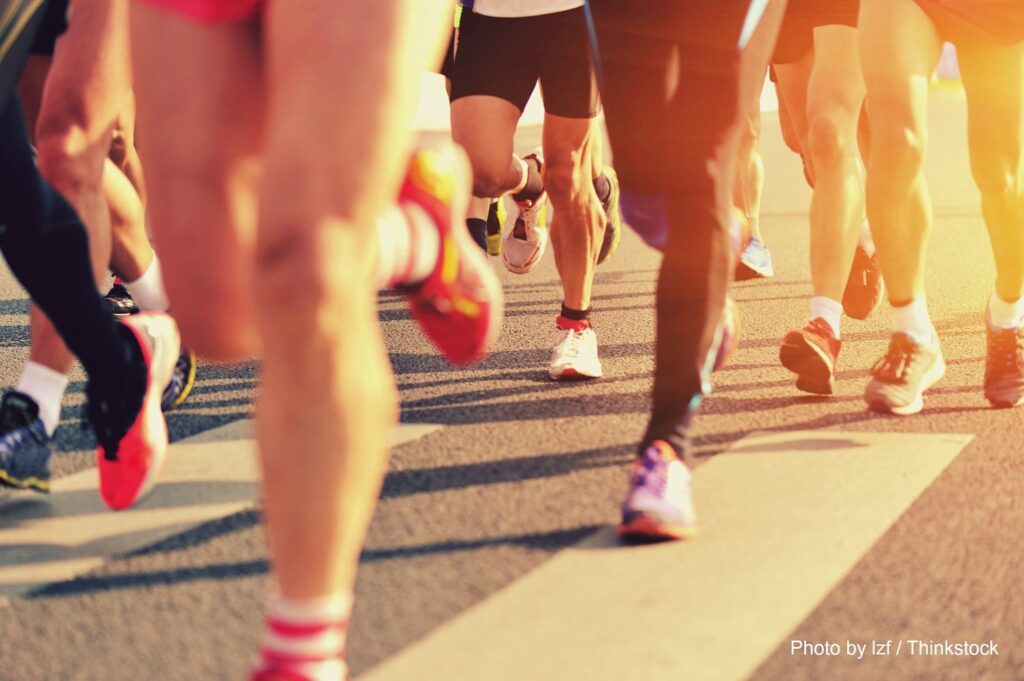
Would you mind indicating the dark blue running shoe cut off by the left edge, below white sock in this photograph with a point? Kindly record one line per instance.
(25, 449)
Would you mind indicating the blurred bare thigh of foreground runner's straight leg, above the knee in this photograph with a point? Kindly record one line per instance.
(323, 153)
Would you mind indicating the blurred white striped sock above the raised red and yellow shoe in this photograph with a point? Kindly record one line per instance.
(409, 245)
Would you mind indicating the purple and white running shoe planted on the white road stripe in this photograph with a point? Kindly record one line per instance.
(659, 505)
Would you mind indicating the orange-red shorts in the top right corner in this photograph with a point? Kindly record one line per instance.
(977, 21)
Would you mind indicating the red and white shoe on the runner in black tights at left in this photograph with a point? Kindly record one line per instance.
(132, 448)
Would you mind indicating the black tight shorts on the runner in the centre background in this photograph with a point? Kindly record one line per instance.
(506, 58)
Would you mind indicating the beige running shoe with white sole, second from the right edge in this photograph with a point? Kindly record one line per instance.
(901, 378)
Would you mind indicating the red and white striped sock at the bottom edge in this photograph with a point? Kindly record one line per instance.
(305, 641)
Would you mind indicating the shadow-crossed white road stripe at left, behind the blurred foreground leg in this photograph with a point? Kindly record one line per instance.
(208, 477)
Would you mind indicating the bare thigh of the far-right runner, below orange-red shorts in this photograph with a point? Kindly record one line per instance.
(993, 79)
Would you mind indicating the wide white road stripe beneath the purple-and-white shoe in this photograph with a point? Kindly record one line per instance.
(785, 517)
